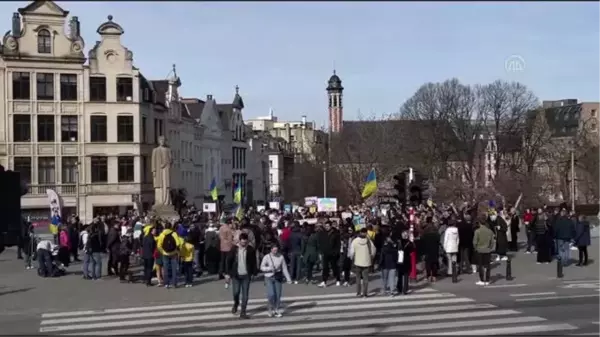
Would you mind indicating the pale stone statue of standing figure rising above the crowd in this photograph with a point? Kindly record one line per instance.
(162, 159)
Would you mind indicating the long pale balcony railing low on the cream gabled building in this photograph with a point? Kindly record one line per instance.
(103, 188)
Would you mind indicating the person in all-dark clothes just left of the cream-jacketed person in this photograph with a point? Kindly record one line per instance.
(330, 246)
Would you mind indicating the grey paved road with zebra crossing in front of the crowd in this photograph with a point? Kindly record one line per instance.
(534, 302)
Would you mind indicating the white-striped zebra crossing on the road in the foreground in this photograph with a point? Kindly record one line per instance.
(423, 312)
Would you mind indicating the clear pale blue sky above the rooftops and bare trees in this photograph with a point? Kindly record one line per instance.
(282, 53)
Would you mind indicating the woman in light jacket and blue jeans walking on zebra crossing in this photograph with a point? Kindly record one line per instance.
(275, 269)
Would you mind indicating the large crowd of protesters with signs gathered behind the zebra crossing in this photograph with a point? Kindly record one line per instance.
(292, 246)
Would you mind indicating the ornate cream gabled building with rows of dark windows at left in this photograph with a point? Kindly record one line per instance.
(83, 130)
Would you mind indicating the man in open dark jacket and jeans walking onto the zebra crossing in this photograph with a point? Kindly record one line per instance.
(240, 267)
